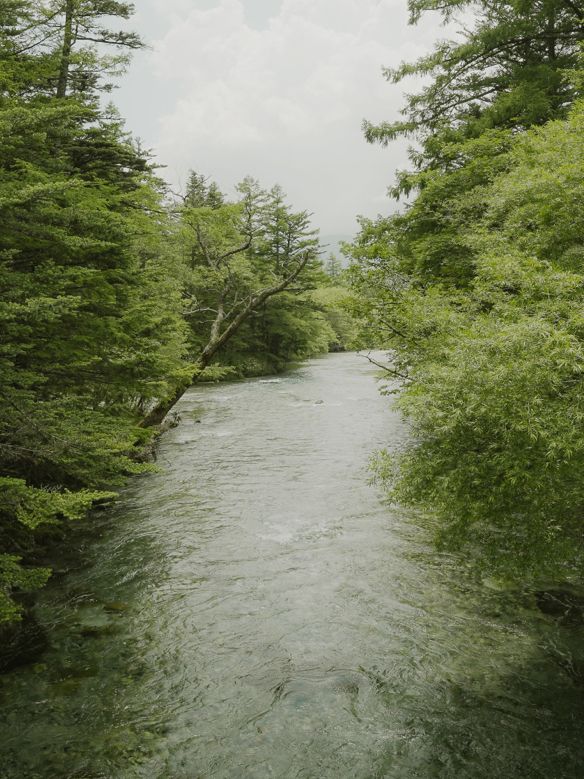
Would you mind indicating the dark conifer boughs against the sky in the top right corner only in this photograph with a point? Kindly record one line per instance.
(507, 71)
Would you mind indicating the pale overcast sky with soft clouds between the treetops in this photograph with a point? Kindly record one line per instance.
(276, 89)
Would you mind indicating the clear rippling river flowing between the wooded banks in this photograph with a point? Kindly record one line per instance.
(254, 610)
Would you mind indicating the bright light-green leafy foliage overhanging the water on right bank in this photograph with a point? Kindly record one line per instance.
(495, 395)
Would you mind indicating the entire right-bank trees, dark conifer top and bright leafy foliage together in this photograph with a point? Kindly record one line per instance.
(476, 287)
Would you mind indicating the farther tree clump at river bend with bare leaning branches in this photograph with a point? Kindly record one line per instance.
(248, 265)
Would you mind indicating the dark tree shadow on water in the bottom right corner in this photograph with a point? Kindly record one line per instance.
(528, 724)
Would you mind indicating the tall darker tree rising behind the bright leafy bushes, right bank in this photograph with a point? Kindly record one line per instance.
(506, 74)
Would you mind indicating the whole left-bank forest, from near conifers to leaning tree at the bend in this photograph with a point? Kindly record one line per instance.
(116, 295)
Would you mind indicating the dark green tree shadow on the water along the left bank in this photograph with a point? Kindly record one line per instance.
(89, 707)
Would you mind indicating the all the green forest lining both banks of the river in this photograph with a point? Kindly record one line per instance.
(117, 294)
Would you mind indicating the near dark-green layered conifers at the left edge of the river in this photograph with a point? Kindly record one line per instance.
(90, 299)
